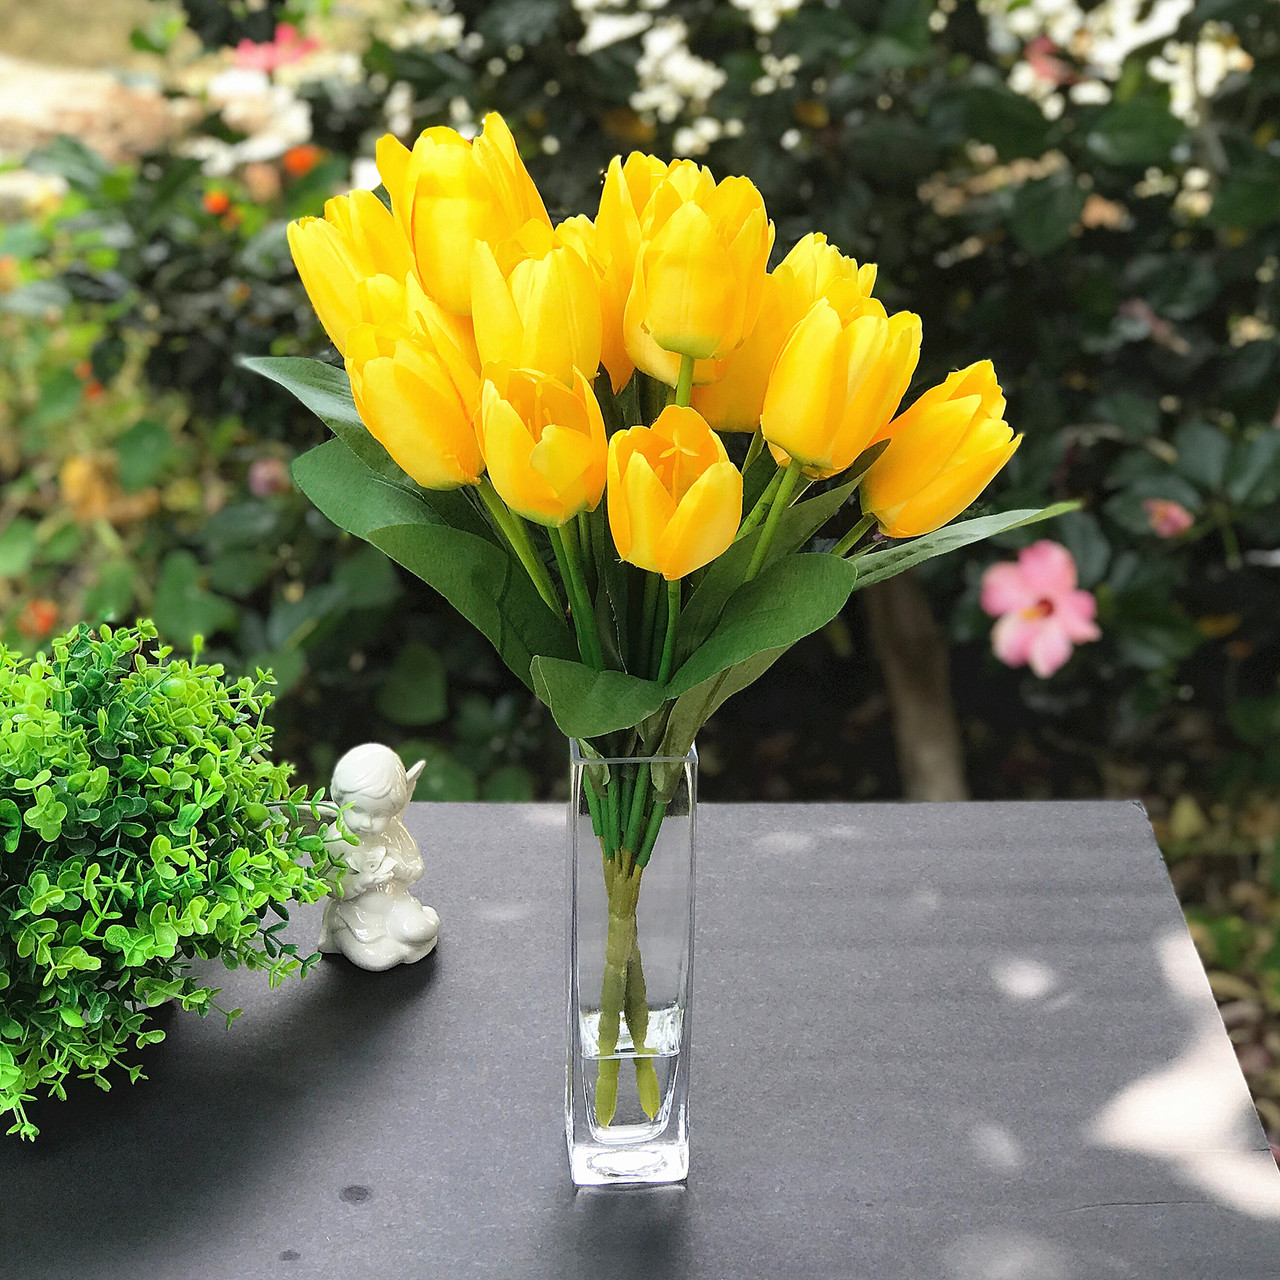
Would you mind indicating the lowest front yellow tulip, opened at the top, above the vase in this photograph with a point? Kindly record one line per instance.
(675, 499)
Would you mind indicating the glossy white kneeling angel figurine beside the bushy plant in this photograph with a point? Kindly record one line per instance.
(373, 918)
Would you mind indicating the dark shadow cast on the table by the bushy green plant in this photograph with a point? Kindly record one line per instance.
(153, 1160)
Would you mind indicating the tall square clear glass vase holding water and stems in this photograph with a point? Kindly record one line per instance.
(630, 963)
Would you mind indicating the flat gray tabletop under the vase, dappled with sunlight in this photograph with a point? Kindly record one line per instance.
(970, 1043)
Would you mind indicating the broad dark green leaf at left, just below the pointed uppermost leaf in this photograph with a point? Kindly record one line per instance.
(486, 586)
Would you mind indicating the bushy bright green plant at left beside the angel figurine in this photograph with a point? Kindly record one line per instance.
(141, 825)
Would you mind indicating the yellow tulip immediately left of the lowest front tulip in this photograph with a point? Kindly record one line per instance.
(543, 444)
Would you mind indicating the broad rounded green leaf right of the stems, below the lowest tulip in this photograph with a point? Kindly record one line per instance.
(789, 601)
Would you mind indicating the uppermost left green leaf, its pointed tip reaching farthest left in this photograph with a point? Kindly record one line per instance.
(326, 390)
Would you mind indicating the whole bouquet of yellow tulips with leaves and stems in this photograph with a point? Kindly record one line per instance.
(540, 420)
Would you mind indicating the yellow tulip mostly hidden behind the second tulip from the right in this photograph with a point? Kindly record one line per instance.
(812, 269)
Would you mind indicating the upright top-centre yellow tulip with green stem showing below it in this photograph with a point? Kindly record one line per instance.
(700, 273)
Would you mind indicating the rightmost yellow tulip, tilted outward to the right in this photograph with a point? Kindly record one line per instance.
(943, 452)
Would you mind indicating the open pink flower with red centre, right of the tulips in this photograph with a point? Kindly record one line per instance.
(1041, 612)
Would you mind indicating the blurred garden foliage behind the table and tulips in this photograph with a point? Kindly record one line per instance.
(1089, 194)
